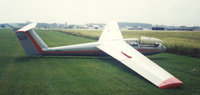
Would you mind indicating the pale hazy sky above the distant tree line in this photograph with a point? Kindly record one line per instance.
(165, 12)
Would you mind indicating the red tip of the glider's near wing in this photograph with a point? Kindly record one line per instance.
(170, 83)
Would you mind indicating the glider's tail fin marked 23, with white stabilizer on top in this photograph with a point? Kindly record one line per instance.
(30, 41)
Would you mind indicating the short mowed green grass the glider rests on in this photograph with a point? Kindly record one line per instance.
(23, 74)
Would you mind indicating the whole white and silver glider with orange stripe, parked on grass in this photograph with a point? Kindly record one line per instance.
(127, 51)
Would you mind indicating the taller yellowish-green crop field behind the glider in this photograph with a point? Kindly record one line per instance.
(177, 42)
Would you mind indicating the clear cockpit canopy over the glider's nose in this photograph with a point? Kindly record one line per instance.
(145, 41)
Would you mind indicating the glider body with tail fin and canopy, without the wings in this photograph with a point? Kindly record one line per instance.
(34, 45)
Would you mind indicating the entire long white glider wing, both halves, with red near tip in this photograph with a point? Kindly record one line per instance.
(114, 45)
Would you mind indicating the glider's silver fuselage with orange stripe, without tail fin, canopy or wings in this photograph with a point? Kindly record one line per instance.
(89, 49)
